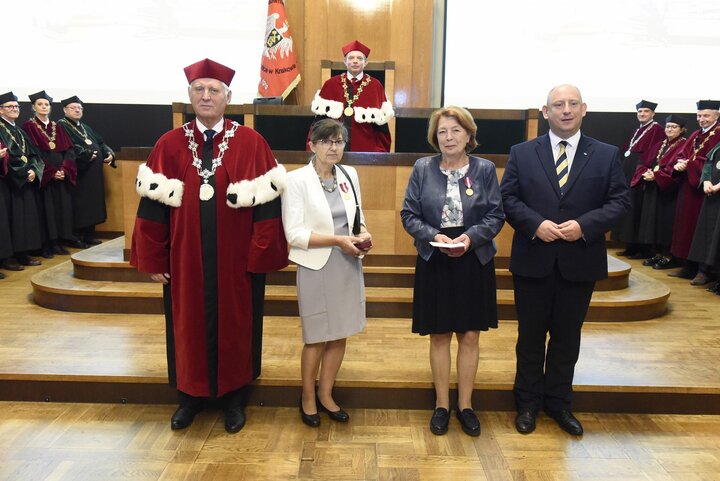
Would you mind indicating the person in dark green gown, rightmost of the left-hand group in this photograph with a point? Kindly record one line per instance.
(91, 154)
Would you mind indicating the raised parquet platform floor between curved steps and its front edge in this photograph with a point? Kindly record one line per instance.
(677, 352)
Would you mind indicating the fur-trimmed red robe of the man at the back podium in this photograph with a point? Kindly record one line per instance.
(368, 128)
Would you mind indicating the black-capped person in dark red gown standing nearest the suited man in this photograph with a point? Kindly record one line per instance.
(635, 153)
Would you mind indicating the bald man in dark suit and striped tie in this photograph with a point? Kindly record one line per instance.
(561, 193)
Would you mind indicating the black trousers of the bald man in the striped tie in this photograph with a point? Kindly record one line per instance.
(548, 305)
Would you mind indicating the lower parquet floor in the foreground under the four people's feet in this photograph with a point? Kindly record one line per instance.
(91, 442)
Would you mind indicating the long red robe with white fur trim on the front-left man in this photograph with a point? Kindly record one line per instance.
(250, 240)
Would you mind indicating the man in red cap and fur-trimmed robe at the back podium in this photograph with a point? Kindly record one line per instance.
(358, 100)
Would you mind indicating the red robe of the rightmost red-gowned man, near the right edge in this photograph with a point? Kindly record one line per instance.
(691, 195)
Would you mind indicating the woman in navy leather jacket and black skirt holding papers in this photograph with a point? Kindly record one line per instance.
(453, 201)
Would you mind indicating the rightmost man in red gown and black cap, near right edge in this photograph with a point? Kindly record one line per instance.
(688, 167)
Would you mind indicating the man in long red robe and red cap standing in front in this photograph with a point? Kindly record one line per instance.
(209, 227)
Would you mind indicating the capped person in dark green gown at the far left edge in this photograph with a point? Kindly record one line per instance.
(25, 171)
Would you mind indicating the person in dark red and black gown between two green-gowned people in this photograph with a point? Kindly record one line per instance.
(56, 151)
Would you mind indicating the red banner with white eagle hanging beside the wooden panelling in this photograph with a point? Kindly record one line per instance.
(279, 71)
